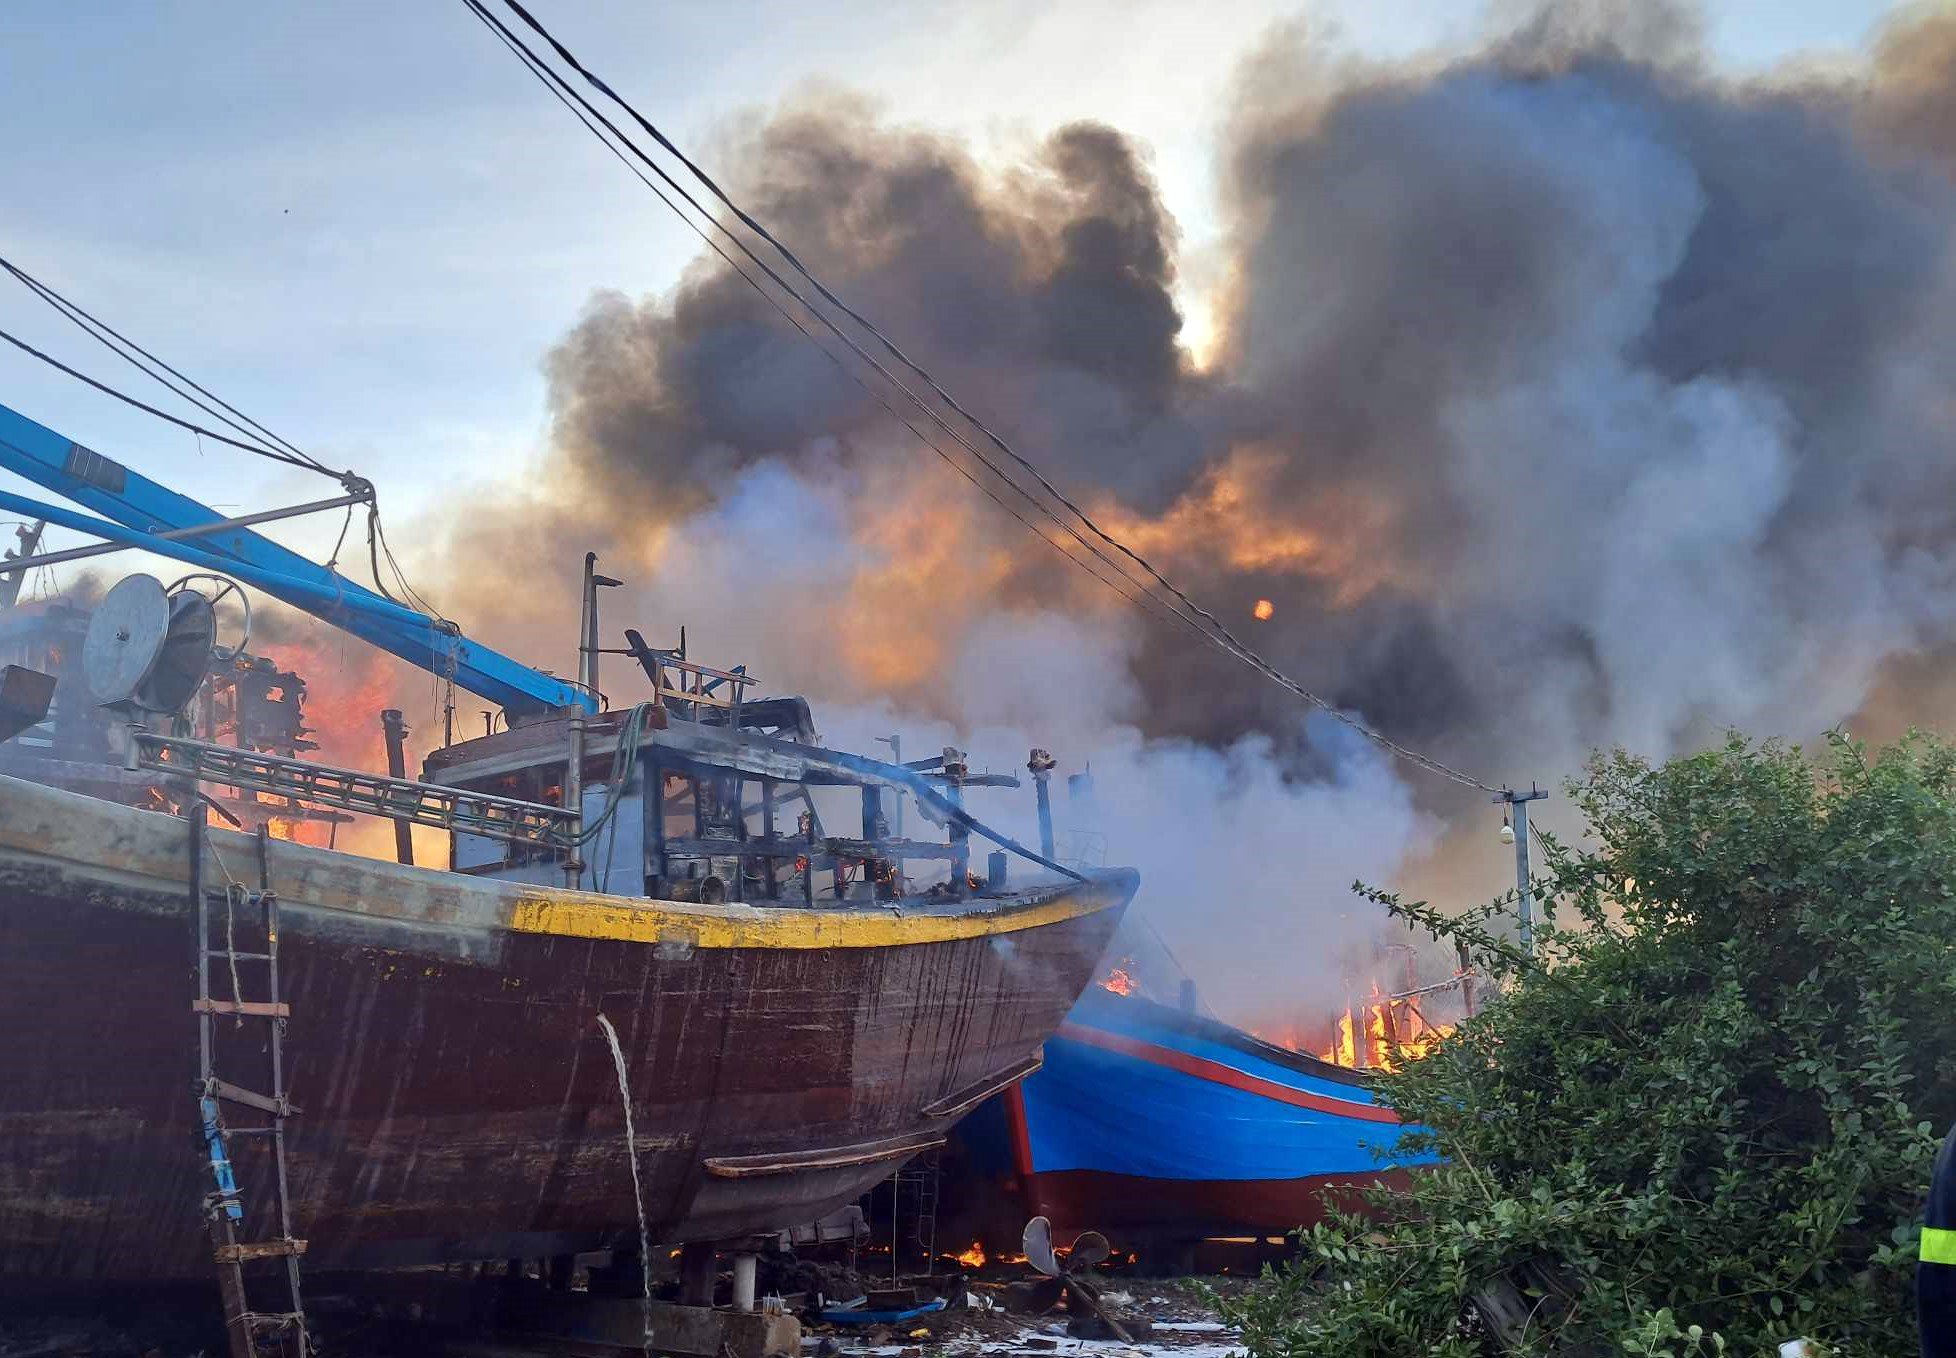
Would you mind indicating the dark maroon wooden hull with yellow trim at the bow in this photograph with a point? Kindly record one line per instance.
(459, 1099)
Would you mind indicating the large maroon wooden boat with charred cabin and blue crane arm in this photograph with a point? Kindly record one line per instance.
(418, 1054)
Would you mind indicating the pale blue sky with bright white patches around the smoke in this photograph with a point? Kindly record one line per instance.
(367, 226)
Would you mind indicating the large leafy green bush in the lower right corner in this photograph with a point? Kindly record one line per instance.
(1709, 1109)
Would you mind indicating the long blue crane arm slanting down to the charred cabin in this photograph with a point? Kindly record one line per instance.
(144, 508)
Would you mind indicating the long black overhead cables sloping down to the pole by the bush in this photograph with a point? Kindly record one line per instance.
(1218, 629)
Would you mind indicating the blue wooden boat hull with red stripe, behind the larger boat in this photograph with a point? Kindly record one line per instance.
(1157, 1124)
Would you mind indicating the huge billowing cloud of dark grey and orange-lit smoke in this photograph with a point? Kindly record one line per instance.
(1562, 394)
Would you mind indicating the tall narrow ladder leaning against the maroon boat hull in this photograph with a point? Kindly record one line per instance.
(251, 1334)
